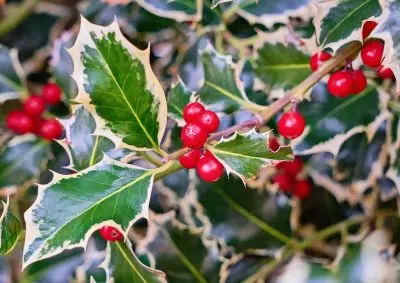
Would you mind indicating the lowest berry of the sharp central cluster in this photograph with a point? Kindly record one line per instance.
(209, 168)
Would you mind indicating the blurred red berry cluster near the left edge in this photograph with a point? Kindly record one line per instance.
(29, 120)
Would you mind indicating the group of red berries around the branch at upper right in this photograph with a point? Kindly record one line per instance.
(345, 82)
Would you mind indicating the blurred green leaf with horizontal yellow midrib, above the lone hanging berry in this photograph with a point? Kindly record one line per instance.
(282, 66)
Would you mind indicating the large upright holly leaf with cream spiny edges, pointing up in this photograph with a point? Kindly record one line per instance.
(117, 84)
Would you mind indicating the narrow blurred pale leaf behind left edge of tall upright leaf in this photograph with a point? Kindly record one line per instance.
(61, 65)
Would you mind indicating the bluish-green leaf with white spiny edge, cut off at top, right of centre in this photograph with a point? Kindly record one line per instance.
(271, 12)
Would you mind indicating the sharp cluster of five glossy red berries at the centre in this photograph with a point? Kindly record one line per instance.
(199, 124)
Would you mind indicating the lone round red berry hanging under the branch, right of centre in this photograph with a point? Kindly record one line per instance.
(291, 124)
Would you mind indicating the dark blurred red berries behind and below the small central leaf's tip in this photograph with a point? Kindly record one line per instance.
(287, 177)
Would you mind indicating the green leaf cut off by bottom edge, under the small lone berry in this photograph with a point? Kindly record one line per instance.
(126, 267)
